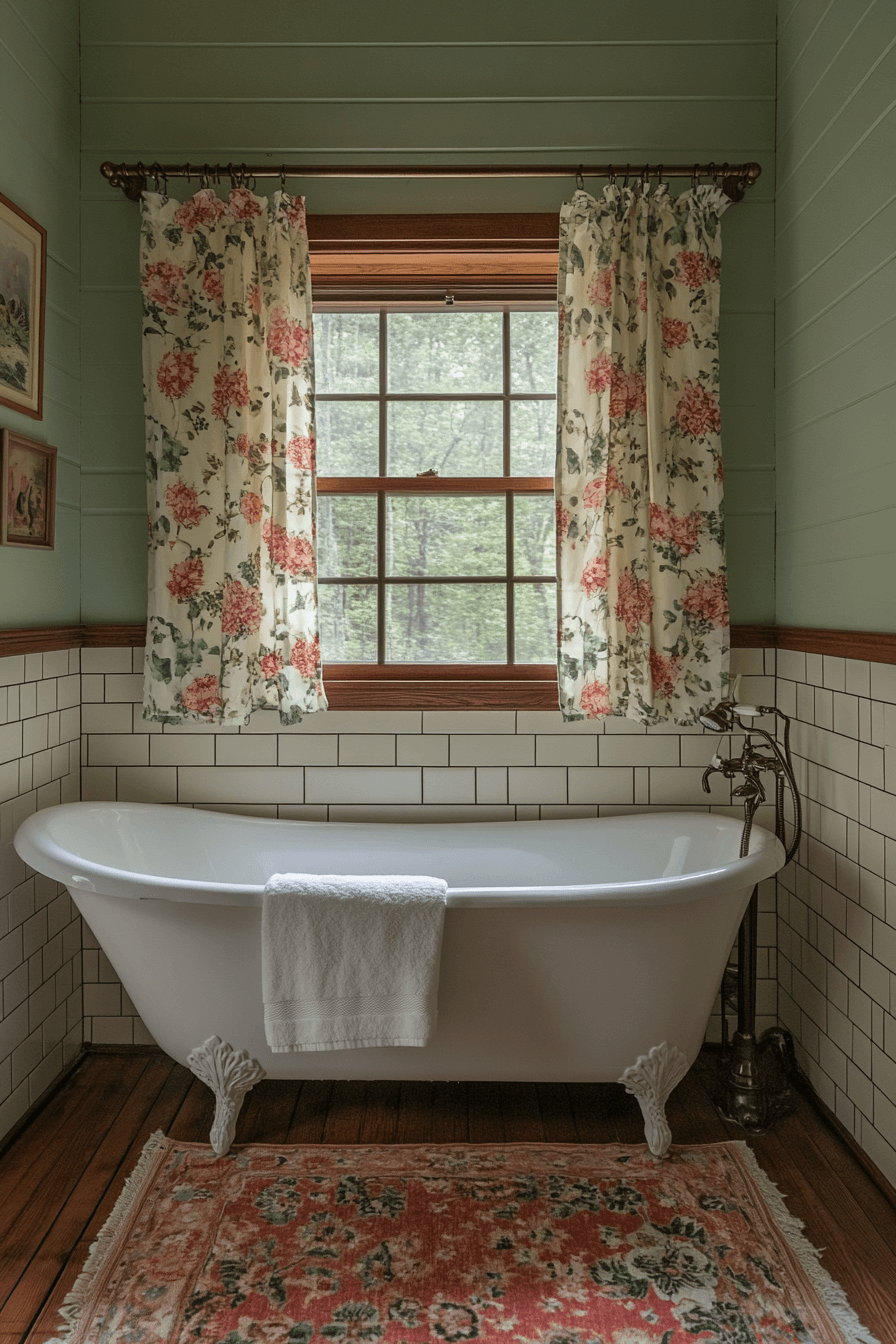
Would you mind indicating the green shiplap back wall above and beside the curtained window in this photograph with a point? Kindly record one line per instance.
(479, 81)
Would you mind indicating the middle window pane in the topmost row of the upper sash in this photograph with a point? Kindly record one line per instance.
(445, 353)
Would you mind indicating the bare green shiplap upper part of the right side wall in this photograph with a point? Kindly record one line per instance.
(836, 315)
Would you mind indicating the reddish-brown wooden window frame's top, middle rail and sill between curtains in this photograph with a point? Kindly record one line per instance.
(410, 261)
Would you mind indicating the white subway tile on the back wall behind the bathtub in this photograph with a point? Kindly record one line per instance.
(409, 765)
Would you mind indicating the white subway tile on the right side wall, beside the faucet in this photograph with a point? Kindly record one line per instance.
(838, 901)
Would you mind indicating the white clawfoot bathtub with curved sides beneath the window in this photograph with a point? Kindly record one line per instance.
(573, 951)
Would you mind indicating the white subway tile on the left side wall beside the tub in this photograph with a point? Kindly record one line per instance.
(41, 962)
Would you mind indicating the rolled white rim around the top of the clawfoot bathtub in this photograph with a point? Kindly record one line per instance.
(40, 851)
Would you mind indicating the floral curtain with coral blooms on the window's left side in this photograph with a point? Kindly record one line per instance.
(229, 392)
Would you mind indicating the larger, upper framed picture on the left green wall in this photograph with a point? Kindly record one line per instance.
(24, 288)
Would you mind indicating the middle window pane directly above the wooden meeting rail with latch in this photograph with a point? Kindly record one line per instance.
(457, 439)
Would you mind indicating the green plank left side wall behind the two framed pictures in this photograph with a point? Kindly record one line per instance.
(40, 174)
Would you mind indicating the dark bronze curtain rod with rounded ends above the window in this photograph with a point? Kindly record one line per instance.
(134, 178)
